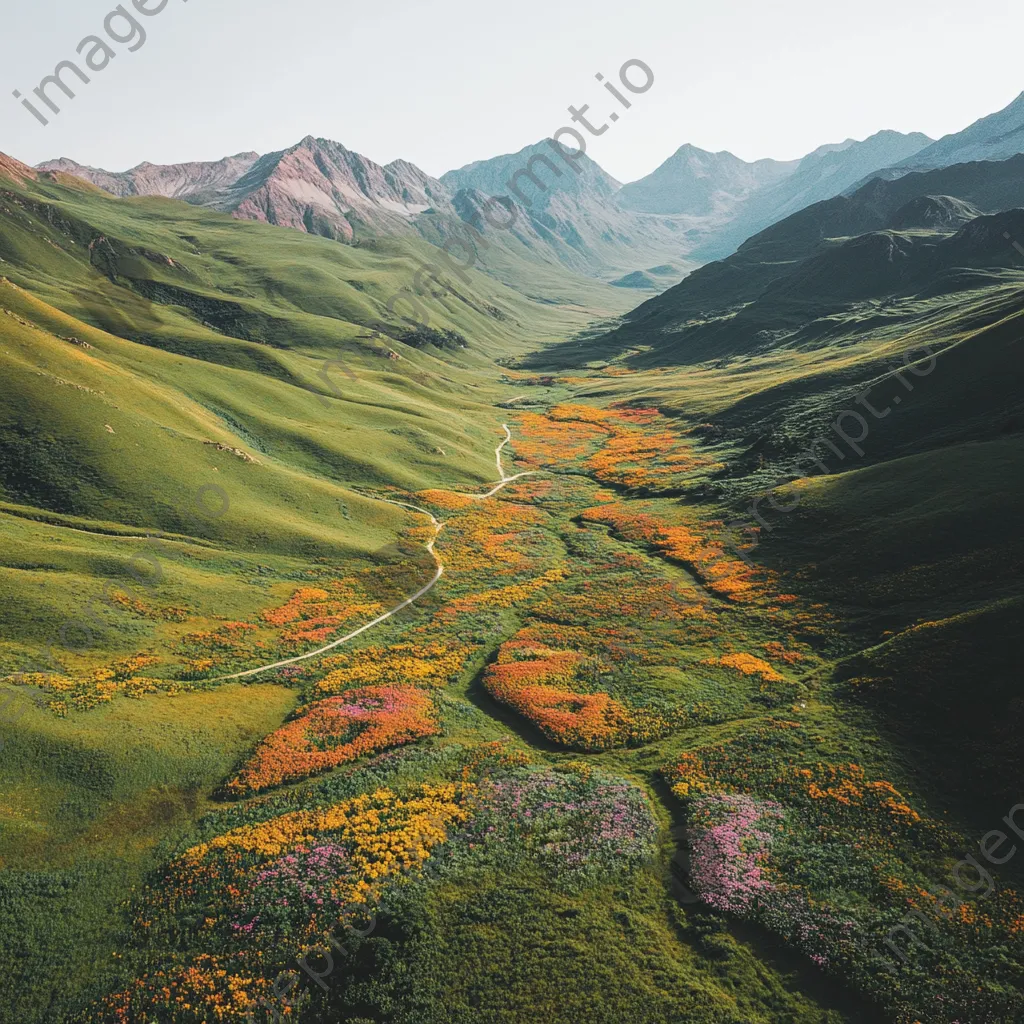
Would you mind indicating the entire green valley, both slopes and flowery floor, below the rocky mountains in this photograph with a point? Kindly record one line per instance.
(843, 713)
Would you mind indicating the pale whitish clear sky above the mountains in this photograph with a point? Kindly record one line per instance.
(446, 82)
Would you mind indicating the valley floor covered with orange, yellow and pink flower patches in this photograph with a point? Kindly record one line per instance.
(601, 769)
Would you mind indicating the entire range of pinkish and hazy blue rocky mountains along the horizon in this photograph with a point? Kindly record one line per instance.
(697, 207)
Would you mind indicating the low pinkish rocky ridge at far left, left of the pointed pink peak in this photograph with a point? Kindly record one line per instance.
(195, 183)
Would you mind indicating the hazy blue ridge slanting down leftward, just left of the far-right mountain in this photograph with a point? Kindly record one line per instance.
(827, 173)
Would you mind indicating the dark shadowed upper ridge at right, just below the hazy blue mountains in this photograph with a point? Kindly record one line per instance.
(846, 248)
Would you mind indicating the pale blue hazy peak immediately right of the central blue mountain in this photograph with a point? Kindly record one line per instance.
(695, 182)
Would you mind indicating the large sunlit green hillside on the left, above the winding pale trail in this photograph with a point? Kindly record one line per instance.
(138, 336)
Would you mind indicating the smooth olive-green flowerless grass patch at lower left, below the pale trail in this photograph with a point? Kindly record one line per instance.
(92, 800)
